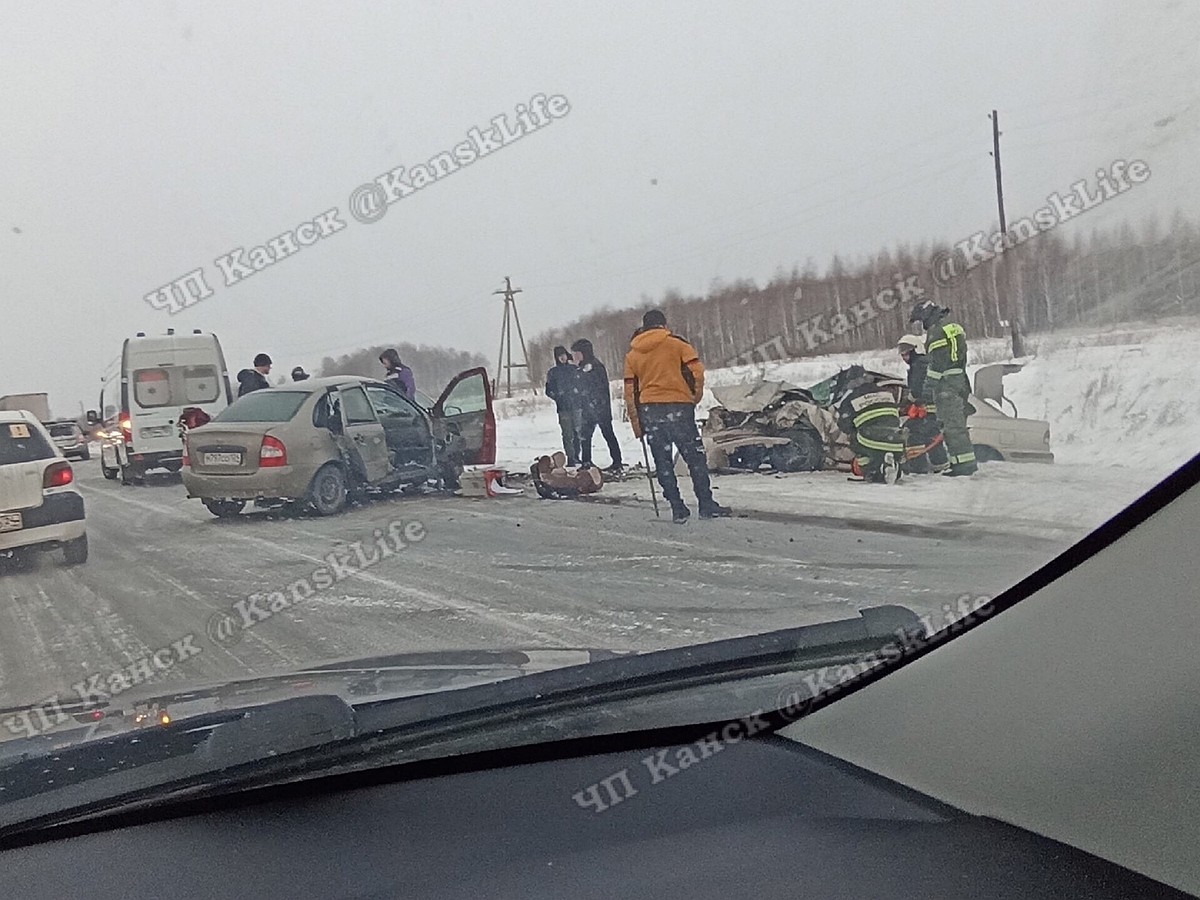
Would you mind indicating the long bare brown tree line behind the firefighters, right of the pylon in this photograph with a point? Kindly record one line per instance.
(1052, 283)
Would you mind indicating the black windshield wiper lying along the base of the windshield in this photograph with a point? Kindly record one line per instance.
(297, 739)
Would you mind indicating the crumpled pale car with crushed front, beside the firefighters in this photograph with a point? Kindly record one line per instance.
(783, 428)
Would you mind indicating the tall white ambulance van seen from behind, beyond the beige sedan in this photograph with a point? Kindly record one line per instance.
(154, 382)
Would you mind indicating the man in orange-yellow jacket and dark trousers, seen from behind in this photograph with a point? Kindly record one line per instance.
(664, 382)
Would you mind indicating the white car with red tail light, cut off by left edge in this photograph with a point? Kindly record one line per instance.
(40, 506)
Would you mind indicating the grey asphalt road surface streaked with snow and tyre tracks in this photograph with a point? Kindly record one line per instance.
(507, 573)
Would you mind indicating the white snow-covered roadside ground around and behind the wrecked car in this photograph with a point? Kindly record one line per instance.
(1121, 405)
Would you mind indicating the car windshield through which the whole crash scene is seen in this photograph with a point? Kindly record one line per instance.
(631, 331)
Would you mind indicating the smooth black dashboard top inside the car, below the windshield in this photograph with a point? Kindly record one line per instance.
(761, 818)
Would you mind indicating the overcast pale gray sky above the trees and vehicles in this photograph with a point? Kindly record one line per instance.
(704, 141)
